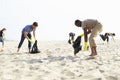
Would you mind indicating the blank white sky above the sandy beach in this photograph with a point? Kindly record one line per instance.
(56, 17)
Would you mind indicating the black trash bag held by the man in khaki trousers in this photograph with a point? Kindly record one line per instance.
(77, 45)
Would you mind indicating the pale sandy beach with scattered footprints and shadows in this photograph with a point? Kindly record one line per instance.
(57, 62)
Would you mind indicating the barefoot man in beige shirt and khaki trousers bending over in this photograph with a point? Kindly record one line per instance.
(90, 26)
